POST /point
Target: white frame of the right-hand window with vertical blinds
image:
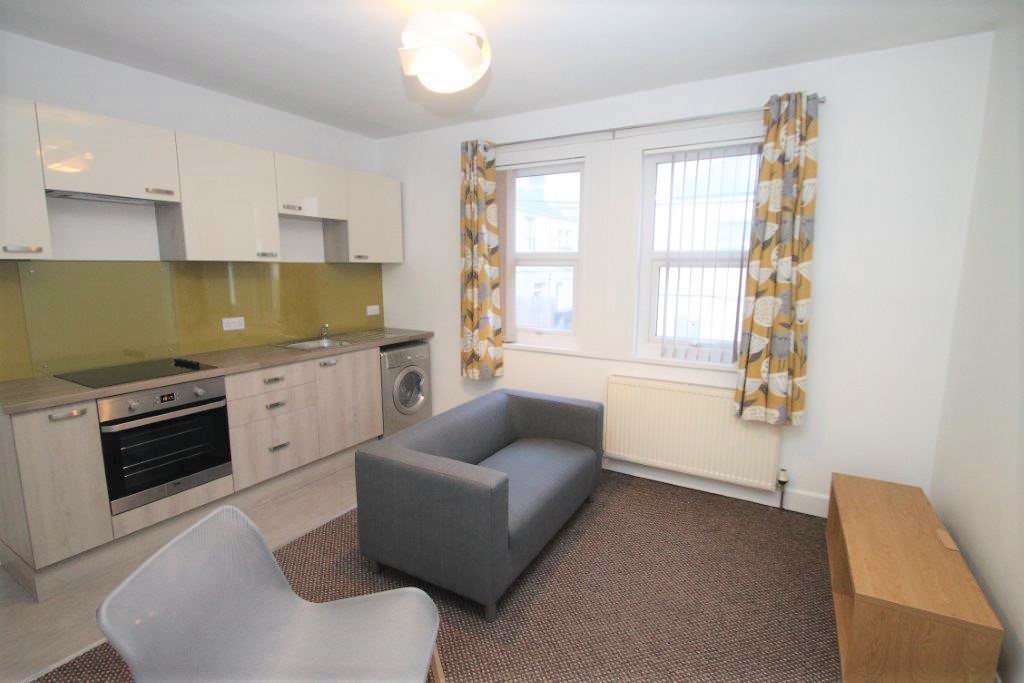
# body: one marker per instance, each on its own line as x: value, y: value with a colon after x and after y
x: 648, y: 344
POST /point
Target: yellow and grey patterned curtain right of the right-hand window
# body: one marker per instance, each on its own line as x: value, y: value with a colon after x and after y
x: 773, y: 382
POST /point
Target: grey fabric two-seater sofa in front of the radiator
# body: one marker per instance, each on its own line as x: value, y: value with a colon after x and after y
x: 467, y: 499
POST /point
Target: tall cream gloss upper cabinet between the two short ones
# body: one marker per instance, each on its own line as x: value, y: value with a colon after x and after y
x: 229, y: 204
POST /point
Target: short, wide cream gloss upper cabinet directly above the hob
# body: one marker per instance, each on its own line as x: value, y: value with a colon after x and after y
x: 97, y: 155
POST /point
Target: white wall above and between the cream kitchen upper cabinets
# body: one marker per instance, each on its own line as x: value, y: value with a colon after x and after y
x: 33, y: 70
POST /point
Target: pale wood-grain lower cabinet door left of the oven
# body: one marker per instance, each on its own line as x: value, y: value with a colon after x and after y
x: 62, y: 464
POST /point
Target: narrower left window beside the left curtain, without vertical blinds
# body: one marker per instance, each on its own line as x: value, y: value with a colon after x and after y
x: 543, y: 220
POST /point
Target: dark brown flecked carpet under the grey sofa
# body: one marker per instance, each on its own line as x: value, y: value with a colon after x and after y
x: 650, y: 582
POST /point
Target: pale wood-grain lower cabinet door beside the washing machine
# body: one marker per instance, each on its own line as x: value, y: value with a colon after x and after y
x: 349, y: 399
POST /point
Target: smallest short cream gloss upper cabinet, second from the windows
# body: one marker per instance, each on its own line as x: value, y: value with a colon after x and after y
x: 310, y: 189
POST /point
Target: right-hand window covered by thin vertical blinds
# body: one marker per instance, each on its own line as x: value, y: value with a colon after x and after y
x: 697, y: 215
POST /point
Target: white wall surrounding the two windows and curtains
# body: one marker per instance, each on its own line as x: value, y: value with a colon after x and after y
x: 893, y: 207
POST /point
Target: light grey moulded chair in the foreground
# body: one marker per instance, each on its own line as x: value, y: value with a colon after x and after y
x: 214, y: 605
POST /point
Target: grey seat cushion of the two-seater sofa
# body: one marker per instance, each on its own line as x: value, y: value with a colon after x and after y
x: 548, y: 480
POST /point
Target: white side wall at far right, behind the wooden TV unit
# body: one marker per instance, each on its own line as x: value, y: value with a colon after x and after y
x: 978, y: 484
